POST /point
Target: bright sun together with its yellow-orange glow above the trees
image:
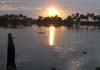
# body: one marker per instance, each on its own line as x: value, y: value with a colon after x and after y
x: 52, y: 11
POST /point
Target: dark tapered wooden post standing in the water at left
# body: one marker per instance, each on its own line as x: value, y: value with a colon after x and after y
x: 10, y: 54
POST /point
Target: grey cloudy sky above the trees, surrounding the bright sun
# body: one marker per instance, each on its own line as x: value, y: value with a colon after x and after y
x: 35, y: 8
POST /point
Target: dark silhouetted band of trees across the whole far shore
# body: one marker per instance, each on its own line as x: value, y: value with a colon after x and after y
x: 77, y: 19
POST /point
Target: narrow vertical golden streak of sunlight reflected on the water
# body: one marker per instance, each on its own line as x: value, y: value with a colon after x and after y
x: 51, y: 35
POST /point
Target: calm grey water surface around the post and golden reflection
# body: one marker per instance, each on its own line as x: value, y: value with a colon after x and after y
x: 34, y: 52
